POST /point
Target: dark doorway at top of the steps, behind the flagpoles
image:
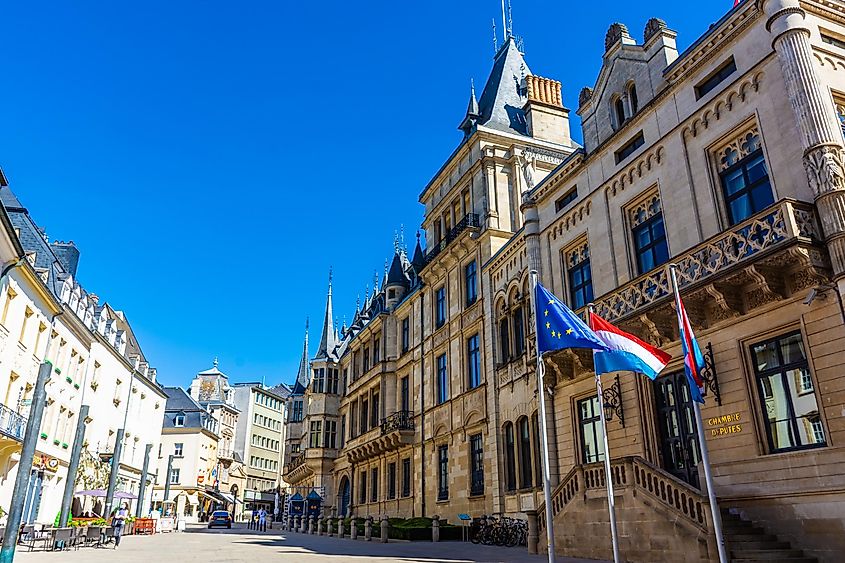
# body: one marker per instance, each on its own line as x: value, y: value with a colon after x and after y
x: 678, y: 430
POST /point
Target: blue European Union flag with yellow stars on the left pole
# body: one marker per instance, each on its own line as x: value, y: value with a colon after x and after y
x: 558, y: 327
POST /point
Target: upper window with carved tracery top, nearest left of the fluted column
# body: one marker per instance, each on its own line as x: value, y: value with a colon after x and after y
x: 745, y: 178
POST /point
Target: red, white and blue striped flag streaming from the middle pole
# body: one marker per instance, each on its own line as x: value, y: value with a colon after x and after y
x: 626, y: 351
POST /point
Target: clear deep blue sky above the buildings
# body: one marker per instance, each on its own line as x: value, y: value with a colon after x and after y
x: 213, y: 159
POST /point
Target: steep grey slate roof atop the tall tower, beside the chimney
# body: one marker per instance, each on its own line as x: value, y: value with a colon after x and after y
x: 503, y: 97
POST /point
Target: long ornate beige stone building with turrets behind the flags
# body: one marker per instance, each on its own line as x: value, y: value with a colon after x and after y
x: 725, y: 159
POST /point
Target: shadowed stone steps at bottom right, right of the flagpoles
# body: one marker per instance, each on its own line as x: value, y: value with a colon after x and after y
x: 748, y: 543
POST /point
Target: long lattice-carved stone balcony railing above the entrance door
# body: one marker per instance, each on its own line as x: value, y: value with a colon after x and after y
x: 776, y: 226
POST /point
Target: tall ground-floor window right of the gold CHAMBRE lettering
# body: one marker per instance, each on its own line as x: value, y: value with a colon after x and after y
x: 787, y: 394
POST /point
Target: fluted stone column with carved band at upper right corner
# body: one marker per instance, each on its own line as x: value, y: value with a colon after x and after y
x: 818, y: 125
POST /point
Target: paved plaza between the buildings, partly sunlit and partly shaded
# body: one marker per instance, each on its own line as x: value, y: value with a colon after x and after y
x: 239, y: 544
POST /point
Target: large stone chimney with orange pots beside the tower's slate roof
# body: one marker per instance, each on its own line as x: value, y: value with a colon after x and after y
x: 547, y: 119
